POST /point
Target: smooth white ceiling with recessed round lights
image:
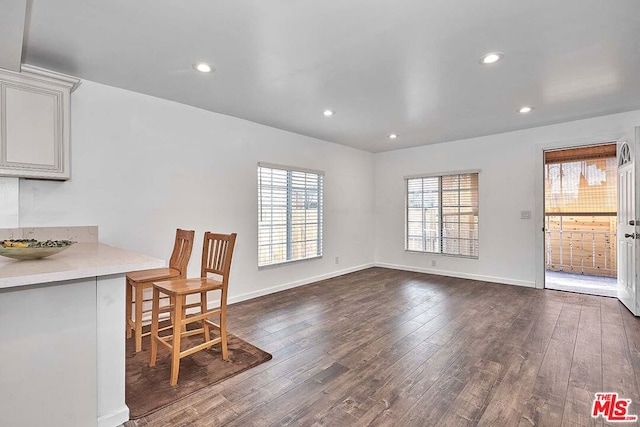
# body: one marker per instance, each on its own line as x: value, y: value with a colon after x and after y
x: 408, y: 67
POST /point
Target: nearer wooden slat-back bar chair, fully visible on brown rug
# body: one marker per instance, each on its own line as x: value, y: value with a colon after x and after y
x: 217, y: 252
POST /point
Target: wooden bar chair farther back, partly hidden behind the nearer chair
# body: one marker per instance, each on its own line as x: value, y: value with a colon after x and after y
x: 138, y: 281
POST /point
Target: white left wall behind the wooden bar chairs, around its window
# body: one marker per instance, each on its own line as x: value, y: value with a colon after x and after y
x: 143, y: 166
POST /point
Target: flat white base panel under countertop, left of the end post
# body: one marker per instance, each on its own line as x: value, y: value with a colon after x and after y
x: 48, y: 371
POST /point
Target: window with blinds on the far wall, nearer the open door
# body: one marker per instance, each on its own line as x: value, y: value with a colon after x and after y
x: 442, y: 214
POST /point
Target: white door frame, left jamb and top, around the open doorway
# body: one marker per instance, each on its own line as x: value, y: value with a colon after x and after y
x: 539, y: 190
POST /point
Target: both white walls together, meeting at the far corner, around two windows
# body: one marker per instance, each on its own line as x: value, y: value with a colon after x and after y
x: 142, y: 166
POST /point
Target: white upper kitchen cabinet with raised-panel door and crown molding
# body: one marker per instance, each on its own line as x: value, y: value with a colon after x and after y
x: 35, y: 125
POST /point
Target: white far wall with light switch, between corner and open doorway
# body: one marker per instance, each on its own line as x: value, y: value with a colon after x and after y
x: 510, y: 170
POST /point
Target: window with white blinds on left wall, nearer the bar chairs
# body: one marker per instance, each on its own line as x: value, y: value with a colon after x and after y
x: 289, y: 214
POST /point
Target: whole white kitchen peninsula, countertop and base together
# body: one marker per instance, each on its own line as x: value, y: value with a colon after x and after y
x: 62, y: 337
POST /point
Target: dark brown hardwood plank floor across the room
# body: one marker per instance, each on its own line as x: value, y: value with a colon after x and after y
x: 390, y: 348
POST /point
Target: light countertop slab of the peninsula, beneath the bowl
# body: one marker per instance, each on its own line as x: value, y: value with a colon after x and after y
x: 79, y: 261
